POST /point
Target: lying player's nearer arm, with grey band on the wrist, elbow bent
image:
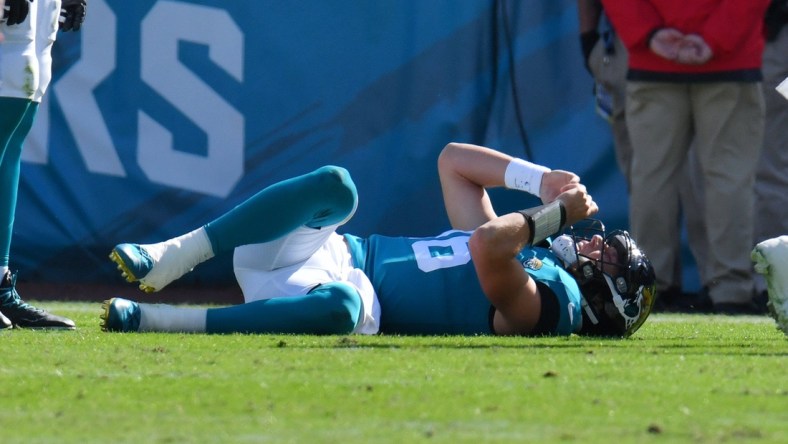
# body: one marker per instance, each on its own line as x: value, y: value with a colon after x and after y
x: 496, y: 244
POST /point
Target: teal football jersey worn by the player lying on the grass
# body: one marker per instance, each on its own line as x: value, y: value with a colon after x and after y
x: 428, y: 285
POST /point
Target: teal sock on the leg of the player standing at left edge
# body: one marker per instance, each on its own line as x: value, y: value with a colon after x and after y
x: 16, y: 119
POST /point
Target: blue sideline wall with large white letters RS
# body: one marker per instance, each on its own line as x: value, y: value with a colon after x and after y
x: 164, y: 114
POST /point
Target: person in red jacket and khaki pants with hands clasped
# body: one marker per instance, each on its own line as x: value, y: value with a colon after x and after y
x: 694, y: 78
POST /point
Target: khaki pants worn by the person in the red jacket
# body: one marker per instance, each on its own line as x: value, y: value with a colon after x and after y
x: 724, y: 124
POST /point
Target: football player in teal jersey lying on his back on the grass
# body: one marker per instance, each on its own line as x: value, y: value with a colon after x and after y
x: 489, y: 274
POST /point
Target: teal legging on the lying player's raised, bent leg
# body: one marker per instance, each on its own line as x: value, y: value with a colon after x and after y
x: 326, y: 196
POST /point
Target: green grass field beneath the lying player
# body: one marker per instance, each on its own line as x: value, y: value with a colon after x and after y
x: 681, y: 378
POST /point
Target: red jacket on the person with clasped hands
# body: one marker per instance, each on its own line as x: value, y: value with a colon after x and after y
x: 732, y: 28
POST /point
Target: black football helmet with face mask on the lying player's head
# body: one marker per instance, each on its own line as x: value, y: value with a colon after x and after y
x: 617, y: 281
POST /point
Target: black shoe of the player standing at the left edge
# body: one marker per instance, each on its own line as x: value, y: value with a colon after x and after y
x: 24, y: 315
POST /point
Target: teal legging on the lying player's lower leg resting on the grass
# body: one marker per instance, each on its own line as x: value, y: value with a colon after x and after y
x: 333, y: 308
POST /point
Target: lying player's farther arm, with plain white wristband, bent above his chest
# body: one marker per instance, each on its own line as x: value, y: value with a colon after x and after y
x: 466, y: 171
